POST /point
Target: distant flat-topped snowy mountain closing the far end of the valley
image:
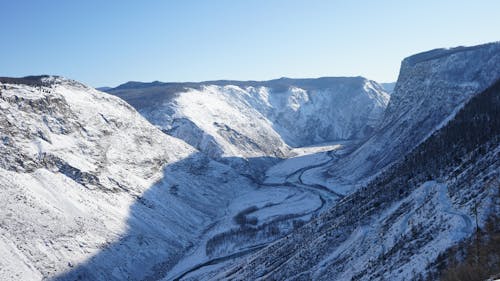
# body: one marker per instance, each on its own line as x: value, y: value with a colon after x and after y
x: 255, y: 119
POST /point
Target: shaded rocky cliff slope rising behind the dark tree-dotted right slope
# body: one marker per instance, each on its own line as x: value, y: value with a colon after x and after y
x: 431, y: 87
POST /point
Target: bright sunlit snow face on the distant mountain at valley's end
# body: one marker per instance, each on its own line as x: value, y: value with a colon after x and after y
x: 212, y: 108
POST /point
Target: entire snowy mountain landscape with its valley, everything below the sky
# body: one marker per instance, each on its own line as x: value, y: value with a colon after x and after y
x: 334, y: 178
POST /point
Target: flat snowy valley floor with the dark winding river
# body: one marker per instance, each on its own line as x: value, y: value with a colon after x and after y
x: 292, y: 193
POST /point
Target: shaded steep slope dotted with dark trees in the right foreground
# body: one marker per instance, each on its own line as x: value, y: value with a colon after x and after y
x: 397, y: 225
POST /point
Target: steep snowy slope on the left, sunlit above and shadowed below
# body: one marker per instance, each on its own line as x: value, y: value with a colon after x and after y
x: 90, y: 189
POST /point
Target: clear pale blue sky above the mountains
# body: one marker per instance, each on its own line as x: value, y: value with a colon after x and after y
x: 106, y: 43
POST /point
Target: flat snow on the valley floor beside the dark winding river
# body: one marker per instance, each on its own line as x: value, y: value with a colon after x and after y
x: 270, y: 202
